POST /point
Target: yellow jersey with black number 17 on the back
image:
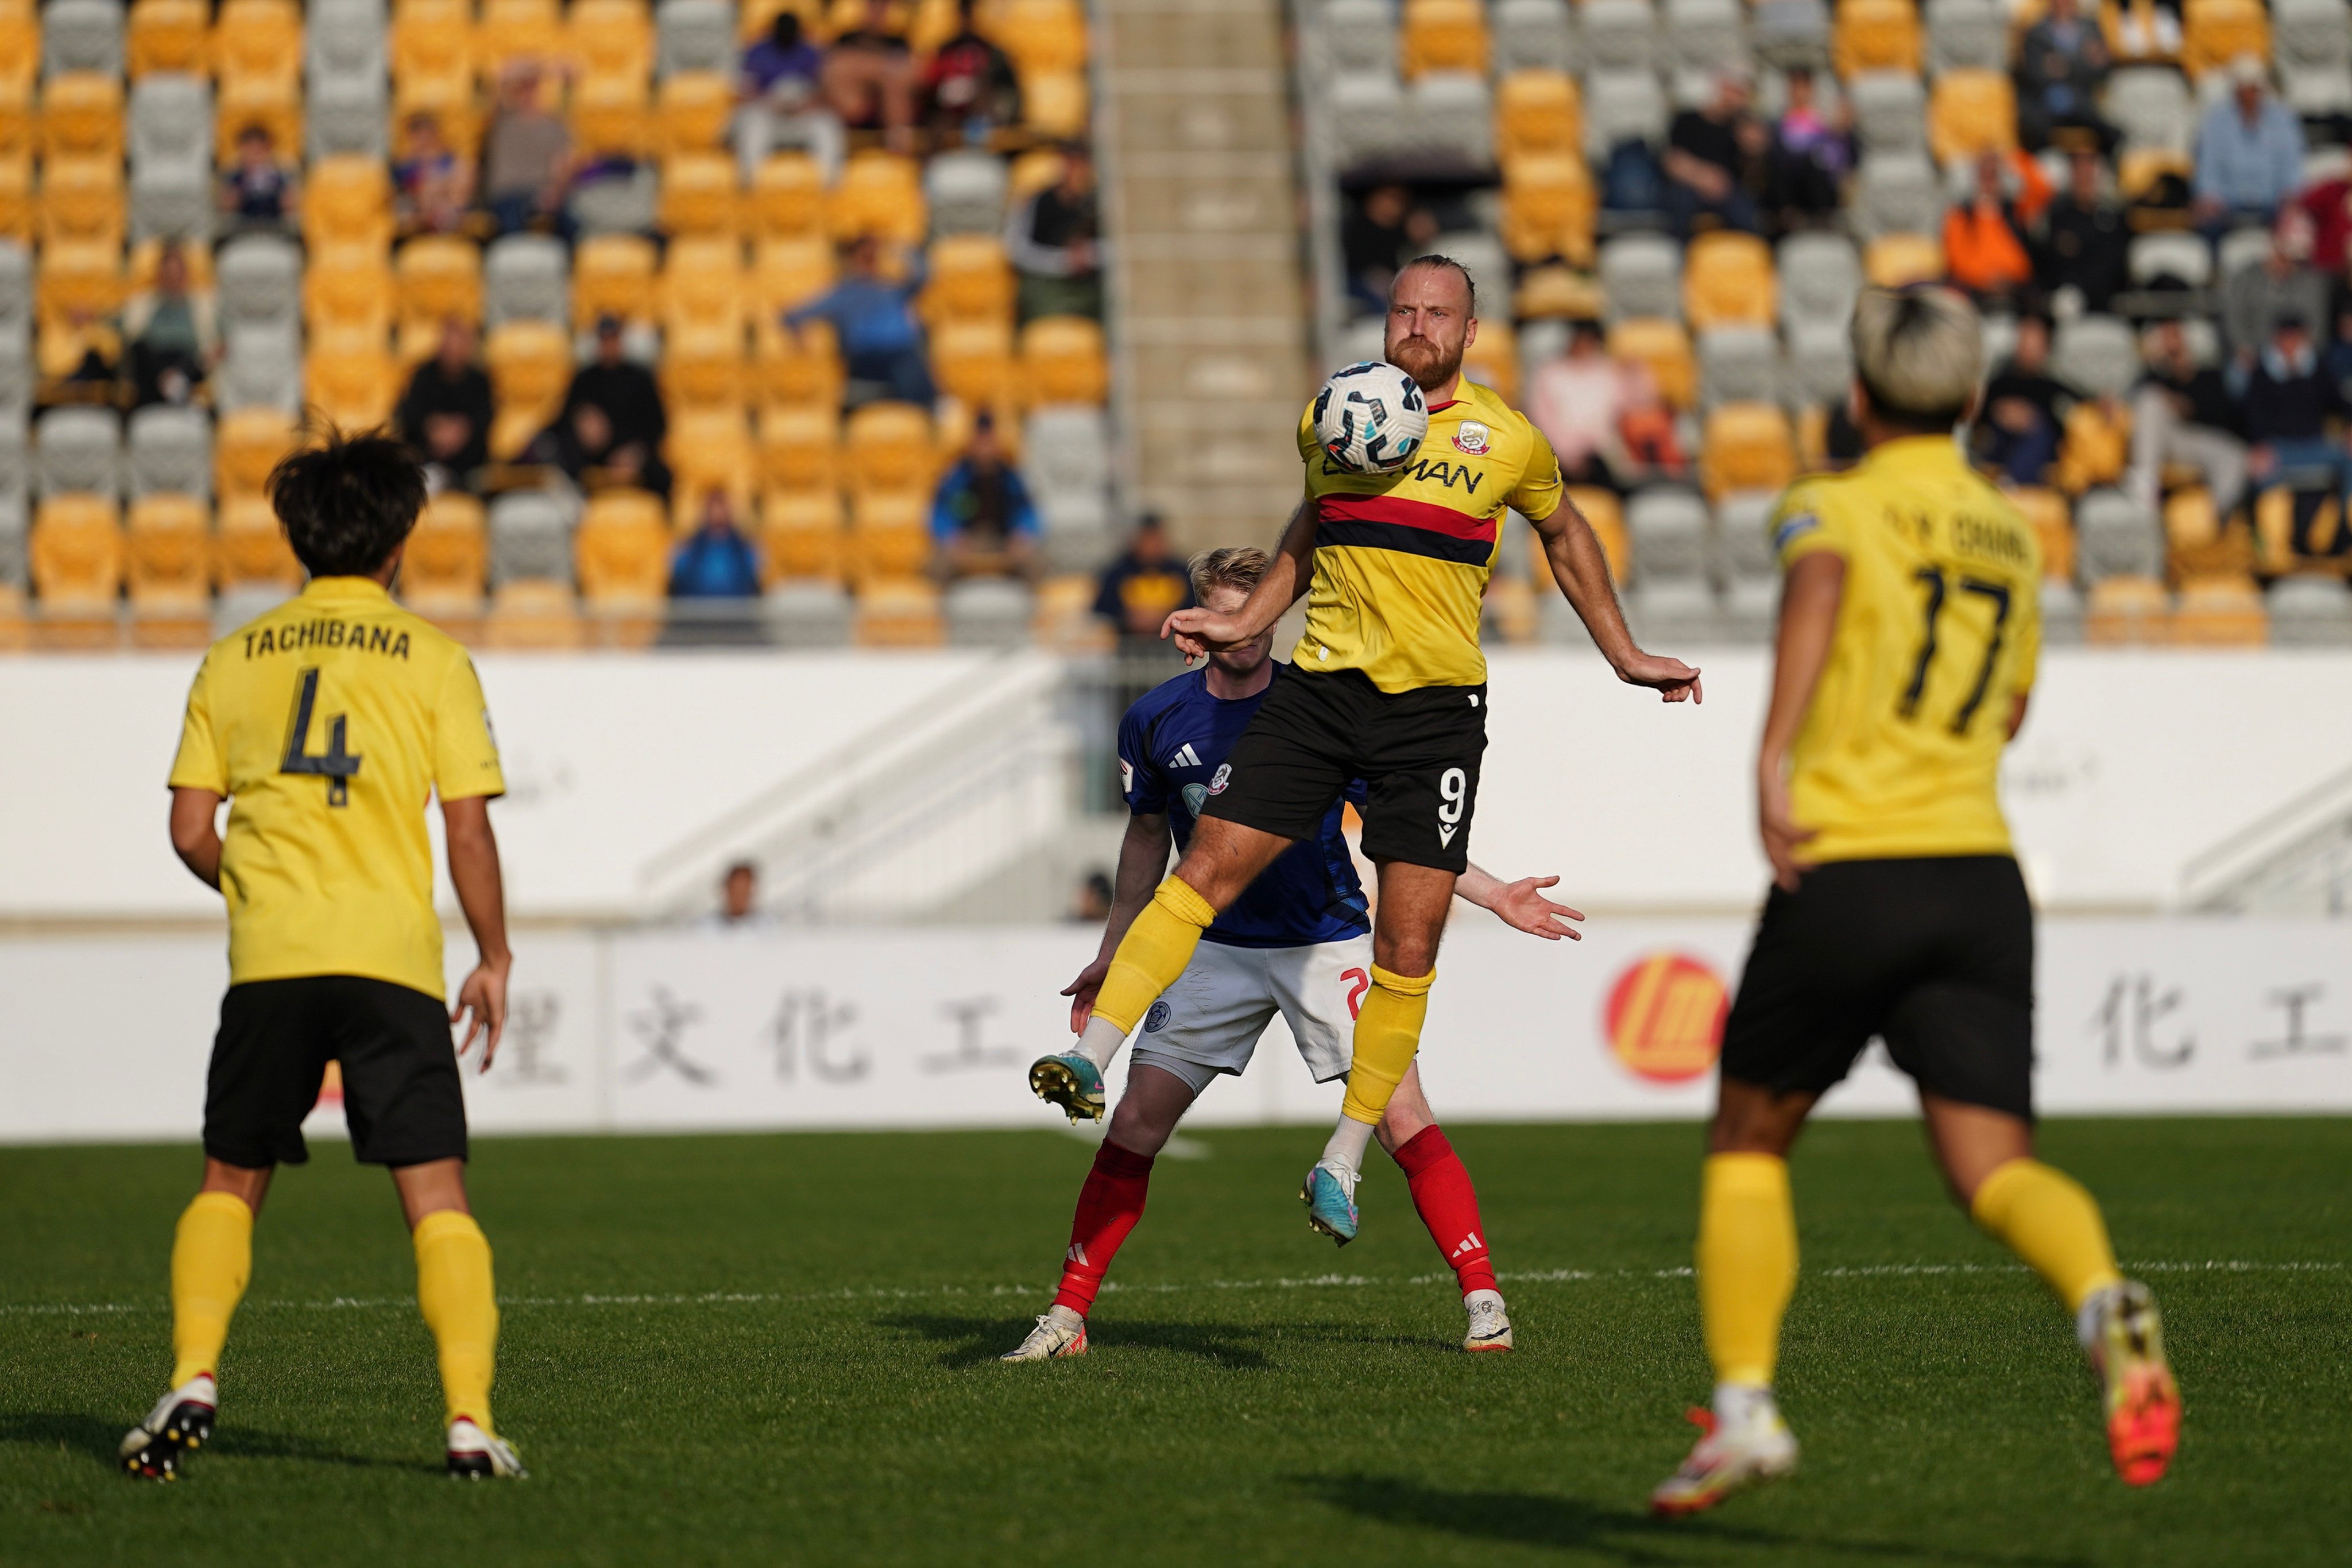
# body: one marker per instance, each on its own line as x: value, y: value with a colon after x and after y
x: 1937, y: 636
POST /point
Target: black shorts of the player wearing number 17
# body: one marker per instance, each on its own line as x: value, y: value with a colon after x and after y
x: 1935, y: 956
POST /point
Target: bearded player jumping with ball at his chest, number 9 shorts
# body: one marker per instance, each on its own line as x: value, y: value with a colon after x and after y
x: 1391, y: 688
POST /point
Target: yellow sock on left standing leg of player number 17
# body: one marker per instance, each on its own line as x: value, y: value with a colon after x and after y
x: 1746, y: 1264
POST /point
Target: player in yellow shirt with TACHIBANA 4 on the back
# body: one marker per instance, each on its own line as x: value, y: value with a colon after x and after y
x: 328, y: 725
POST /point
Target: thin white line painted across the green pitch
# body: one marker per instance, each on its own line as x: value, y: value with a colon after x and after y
x: 1309, y: 1282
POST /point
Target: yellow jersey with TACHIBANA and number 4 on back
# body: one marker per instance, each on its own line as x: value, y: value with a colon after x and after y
x: 328, y: 725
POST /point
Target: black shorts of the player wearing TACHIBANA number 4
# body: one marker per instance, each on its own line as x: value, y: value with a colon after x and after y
x: 401, y: 1087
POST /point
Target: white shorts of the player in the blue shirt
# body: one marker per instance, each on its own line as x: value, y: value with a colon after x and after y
x: 1210, y: 1021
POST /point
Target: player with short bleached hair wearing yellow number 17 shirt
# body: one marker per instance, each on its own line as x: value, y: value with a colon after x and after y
x: 1906, y: 652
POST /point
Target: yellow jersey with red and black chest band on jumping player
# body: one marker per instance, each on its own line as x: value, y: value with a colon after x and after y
x: 1403, y: 558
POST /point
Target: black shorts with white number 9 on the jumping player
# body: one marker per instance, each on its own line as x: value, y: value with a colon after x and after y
x: 1316, y: 735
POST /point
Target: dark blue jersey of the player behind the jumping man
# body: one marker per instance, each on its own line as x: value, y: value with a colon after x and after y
x: 1172, y: 744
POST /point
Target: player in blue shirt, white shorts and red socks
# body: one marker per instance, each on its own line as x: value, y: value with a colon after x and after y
x: 1297, y: 944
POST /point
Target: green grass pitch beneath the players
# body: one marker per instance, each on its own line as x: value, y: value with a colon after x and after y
x: 782, y: 1351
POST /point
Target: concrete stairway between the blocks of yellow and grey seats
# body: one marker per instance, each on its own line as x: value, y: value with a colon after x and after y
x: 1203, y: 215
